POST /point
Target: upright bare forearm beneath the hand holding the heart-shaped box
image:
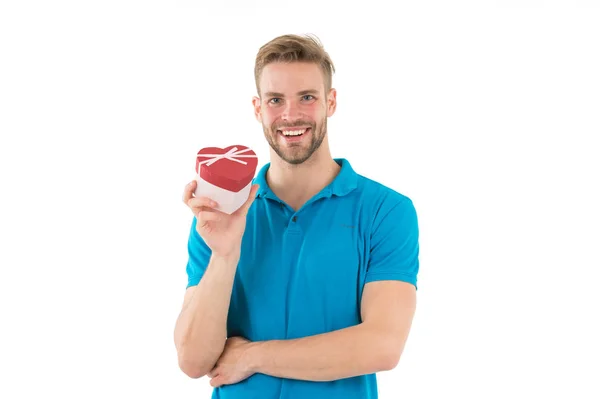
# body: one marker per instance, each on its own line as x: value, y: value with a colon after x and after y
x: 201, y: 328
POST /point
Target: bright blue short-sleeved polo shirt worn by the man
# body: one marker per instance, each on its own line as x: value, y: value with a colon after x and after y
x: 303, y: 272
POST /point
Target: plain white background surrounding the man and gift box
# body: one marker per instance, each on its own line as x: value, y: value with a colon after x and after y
x: 494, y: 112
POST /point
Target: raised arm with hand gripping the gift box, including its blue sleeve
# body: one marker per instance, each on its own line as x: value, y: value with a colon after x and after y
x: 214, y: 248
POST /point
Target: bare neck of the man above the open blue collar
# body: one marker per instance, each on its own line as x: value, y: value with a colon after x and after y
x: 296, y: 184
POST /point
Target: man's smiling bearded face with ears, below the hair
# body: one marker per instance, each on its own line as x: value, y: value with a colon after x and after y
x: 293, y: 109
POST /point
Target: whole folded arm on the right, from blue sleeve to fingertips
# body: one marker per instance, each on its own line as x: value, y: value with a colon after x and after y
x: 387, y: 308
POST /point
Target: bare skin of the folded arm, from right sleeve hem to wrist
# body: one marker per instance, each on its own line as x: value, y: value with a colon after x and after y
x: 387, y: 310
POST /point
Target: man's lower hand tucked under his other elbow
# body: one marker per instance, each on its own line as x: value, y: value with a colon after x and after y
x: 234, y: 365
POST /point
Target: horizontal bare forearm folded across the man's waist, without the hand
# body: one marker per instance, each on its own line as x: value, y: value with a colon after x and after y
x: 349, y: 352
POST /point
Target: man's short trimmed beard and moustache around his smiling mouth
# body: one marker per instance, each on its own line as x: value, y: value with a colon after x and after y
x: 292, y: 153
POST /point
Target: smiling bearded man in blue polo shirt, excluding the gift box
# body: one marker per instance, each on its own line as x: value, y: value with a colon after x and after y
x: 309, y: 289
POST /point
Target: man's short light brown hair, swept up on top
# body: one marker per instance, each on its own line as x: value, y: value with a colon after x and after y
x: 294, y: 48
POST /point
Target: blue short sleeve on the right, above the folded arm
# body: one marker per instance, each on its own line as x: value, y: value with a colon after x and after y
x: 394, y: 243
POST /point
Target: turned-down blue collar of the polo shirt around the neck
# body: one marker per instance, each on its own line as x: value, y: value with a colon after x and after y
x: 343, y: 184
